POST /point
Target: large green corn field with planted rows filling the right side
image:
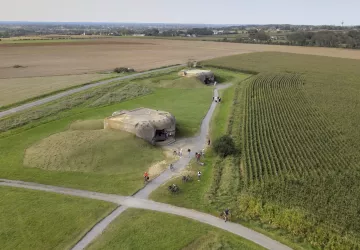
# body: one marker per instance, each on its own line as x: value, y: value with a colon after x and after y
x: 297, y: 123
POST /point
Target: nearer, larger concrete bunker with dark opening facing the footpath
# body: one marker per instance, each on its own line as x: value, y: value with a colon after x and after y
x: 154, y: 126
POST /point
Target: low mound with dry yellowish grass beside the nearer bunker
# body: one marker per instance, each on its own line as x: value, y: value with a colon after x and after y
x: 106, y: 151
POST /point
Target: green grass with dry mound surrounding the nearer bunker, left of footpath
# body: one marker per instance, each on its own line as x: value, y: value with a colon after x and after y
x: 41, y: 148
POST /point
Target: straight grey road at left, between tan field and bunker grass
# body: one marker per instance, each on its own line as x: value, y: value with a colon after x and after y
x: 76, y: 90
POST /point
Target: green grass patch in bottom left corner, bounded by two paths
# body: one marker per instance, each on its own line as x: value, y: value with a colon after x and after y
x: 39, y: 220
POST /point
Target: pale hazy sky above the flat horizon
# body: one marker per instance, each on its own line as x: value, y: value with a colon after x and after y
x: 314, y: 12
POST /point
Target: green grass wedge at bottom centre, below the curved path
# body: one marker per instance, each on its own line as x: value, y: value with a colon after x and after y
x: 140, y: 229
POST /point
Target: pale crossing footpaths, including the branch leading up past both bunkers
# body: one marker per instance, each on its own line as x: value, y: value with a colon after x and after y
x: 140, y: 199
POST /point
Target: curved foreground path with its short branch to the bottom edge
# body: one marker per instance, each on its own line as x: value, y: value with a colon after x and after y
x: 133, y: 202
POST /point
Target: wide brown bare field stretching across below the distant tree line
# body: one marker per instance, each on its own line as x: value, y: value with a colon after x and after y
x: 142, y: 54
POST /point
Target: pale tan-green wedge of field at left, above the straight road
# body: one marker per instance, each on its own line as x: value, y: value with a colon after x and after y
x: 18, y: 89
